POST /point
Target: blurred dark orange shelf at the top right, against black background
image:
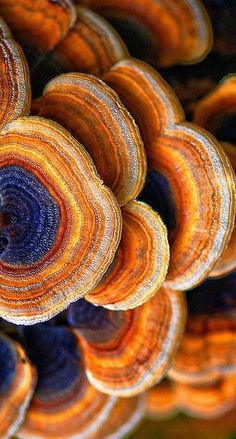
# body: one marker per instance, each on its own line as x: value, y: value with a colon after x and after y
x: 169, y: 32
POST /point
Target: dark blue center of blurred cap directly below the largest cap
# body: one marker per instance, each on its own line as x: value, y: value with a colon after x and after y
x: 54, y: 352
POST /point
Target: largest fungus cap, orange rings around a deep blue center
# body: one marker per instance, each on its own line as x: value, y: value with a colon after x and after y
x: 60, y: 226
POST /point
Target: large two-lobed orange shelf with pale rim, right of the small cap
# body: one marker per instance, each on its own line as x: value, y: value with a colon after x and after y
x: 182, y: 161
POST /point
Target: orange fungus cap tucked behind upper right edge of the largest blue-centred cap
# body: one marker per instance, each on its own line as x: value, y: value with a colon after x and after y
x: 95, y: 116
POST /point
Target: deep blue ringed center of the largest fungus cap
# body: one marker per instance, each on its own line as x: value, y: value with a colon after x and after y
x: 29, y: 217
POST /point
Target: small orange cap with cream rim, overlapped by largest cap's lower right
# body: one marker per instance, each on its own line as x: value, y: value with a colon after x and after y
x: 141, y: 262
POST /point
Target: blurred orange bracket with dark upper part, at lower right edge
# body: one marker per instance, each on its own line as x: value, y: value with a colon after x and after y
x: 207, y: 349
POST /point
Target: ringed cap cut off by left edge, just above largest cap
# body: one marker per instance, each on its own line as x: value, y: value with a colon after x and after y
x: 14, y: 79
